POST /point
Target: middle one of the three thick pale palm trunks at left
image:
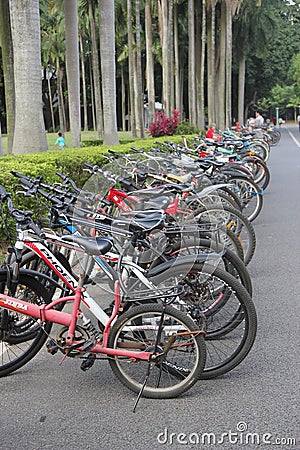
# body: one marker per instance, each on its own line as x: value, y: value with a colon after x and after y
x: 72, y: 67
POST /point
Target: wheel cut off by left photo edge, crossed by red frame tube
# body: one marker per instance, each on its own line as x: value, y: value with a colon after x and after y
x: 21, y: 337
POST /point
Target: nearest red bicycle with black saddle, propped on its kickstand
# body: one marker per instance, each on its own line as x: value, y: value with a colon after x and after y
x: 168, y: 342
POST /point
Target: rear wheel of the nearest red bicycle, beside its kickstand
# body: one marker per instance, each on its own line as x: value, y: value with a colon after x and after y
x: 180, y: 346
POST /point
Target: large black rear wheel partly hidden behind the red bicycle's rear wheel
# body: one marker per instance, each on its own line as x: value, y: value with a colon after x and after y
x: 229, y: 311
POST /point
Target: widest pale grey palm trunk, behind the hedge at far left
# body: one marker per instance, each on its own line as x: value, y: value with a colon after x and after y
x: 29, y: 135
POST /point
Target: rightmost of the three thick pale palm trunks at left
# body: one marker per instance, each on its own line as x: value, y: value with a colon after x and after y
x: 108, y: 71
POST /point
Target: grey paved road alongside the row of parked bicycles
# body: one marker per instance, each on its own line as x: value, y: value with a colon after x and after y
x: 47, y: 406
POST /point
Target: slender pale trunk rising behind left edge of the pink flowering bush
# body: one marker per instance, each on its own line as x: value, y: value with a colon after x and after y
x: 149, y: 64
